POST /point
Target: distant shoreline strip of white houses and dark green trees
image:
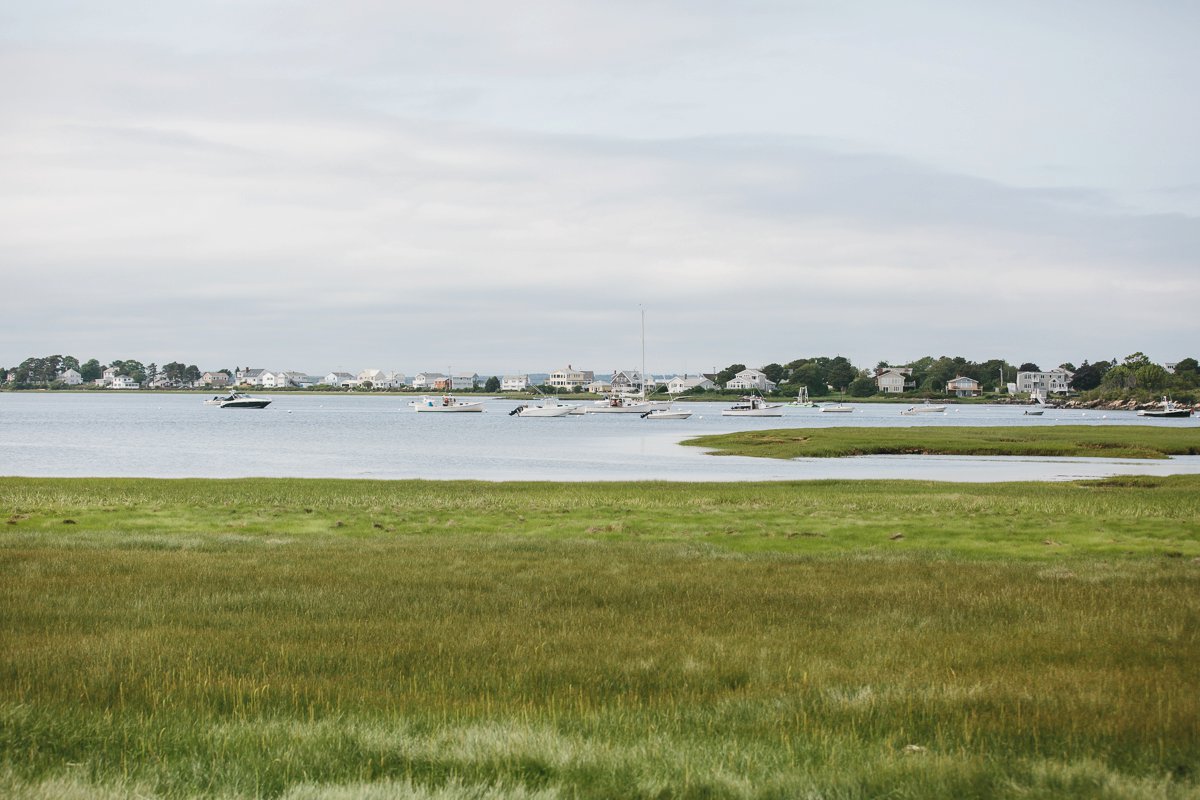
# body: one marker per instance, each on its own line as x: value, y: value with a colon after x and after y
x: 950, y: 377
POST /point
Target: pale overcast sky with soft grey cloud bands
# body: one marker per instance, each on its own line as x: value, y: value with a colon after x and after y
x: 503, y: 187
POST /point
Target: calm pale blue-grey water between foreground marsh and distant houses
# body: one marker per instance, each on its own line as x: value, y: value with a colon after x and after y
x: 177, y: 436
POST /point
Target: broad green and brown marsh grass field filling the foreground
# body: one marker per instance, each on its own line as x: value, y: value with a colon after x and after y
x: 424, y: 640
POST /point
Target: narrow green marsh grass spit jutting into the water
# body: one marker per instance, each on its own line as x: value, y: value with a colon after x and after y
x: 1103, y: 442
